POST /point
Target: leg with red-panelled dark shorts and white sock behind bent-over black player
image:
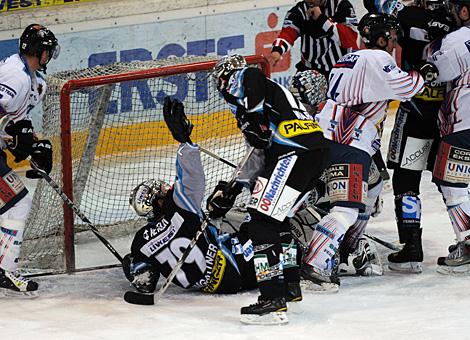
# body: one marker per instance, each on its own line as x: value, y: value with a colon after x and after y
x: 347, y: 191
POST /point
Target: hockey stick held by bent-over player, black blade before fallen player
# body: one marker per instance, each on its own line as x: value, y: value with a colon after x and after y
x: 151, y: 299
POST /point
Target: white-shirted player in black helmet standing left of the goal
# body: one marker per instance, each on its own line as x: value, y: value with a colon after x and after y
x: 21, y: 88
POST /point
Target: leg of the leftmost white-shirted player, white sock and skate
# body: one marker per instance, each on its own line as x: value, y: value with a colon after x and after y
x: 15, y: 206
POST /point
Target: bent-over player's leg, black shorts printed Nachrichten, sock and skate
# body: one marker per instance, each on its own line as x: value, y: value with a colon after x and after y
x: 278, y: 192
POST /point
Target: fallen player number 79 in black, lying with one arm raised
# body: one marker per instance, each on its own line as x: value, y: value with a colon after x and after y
x: 220, y: 262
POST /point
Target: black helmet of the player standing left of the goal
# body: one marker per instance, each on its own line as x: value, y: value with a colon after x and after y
x: 37, y: 39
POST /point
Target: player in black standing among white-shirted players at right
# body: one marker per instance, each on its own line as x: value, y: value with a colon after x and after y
x: 415, y: 135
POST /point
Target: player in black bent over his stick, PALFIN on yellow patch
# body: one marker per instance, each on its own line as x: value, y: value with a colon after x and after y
x: 272, y: 120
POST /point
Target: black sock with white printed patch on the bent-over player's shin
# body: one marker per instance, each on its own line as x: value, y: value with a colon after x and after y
x: 269, y: 270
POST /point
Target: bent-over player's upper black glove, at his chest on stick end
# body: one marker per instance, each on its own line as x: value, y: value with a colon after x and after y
x: 257, y: 134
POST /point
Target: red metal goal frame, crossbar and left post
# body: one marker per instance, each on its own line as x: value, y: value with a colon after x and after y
x: 66, y: 131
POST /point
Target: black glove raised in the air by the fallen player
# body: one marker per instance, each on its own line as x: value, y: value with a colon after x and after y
x: 175, y: 119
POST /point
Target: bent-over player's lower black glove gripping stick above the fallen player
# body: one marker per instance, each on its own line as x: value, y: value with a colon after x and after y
x: 222, y: 198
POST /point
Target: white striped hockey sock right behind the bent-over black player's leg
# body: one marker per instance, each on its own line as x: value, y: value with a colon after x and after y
x: 327, y: 236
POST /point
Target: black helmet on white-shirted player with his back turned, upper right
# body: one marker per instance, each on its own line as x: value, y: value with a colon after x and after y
x: 375, y: 25
